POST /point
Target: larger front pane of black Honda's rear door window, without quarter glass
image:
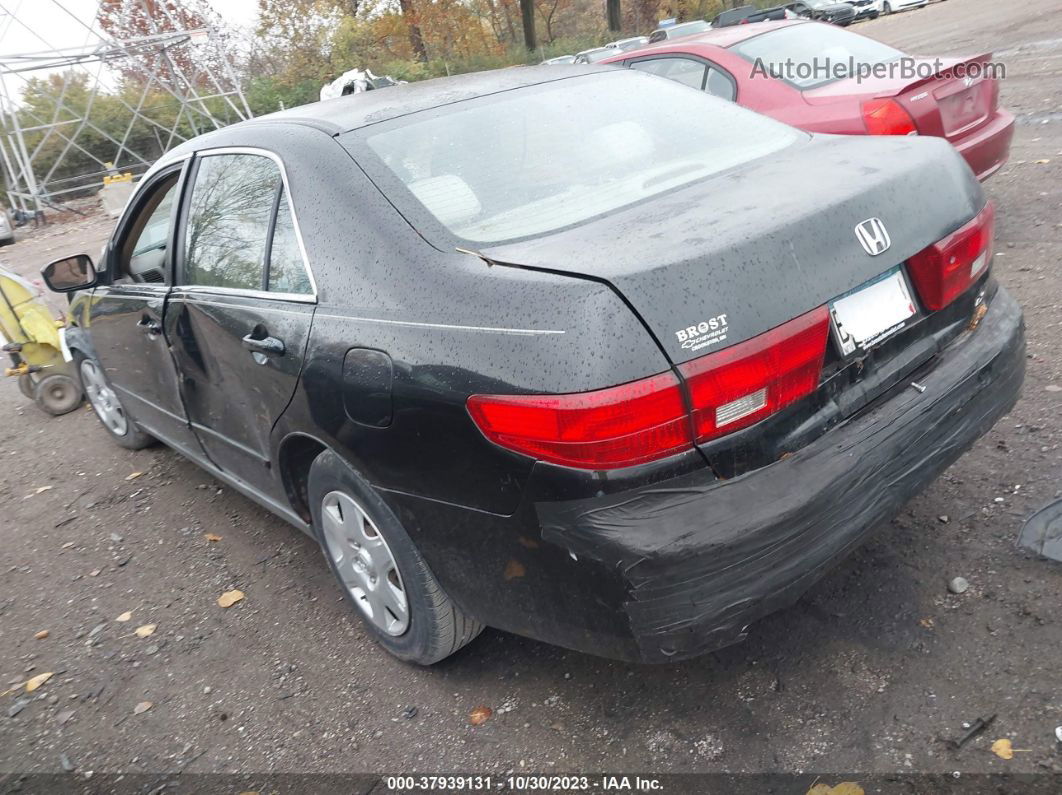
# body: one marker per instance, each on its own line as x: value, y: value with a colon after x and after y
x: 229, y: 221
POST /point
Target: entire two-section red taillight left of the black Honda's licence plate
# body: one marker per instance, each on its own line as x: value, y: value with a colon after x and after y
x: 647, y: 420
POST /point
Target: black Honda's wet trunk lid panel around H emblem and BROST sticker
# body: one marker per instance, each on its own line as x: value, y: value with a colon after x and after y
x: 751, y: 249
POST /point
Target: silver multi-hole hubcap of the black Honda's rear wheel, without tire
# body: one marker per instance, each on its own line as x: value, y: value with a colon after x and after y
x: 365, y: 563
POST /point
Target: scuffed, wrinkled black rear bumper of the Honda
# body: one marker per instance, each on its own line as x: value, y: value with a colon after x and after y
x: 703, y: 559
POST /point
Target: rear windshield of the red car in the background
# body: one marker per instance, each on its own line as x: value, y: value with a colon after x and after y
x: 812, y: 56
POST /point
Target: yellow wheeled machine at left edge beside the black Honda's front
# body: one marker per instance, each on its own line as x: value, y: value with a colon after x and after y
x: 31, y: 337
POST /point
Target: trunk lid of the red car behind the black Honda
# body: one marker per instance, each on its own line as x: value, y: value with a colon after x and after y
x: 945, y: 103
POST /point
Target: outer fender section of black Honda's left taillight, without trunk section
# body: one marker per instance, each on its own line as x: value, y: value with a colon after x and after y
x: 606, y: 429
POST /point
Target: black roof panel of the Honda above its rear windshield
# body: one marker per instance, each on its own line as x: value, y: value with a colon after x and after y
x: 361, y: 110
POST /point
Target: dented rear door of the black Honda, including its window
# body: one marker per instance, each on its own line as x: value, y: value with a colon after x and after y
x: 239, y: 316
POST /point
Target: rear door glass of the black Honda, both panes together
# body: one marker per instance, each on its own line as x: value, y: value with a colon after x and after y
x: 241, y: 234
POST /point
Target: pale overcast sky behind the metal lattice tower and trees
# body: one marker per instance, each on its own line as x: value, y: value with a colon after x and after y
x: 37, y: 26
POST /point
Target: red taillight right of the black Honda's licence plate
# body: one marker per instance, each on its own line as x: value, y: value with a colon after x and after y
x: 946, y: 270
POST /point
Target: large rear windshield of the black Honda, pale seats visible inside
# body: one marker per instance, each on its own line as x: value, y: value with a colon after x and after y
x: 535, y: 161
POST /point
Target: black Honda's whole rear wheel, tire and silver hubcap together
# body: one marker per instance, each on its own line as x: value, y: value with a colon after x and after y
x: 381, y: 571
